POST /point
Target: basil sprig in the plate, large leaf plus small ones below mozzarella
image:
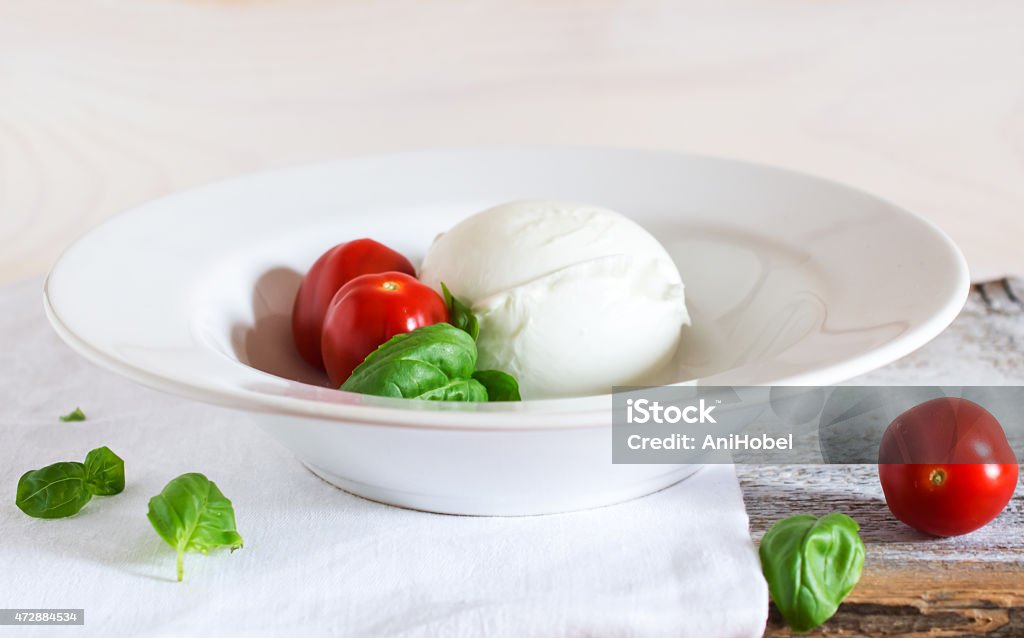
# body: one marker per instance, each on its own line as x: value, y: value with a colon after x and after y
x: 433, y: 363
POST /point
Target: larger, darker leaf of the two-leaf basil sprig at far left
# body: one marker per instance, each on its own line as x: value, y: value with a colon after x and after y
x: 54, y: 492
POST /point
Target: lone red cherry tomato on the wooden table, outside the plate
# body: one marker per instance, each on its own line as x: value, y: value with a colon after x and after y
x: 947, y: 467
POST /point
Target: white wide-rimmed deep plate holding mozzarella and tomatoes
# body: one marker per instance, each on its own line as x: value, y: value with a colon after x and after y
x: 791, y: 280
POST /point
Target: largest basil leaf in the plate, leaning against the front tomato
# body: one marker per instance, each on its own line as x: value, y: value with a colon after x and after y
x: 414, y: 364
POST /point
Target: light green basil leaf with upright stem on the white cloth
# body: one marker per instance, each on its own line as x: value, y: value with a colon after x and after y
x: 193, y: 516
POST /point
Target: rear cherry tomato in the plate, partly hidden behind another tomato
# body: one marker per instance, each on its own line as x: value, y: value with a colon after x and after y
x: 335, y: 269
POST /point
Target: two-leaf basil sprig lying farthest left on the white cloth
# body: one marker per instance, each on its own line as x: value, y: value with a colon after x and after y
x: 63, y: 489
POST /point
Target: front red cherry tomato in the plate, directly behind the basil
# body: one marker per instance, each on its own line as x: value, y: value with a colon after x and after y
x: 368, y: 312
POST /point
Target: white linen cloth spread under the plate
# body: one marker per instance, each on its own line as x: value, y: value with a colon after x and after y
x: 320, y: 562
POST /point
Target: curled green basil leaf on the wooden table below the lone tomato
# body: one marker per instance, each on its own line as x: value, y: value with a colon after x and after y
x: 812, y: 565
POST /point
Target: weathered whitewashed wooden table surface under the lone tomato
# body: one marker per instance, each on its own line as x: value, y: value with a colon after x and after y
x: 915, y: 586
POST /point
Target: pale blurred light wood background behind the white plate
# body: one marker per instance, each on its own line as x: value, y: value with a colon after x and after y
x: 107, y: 104
